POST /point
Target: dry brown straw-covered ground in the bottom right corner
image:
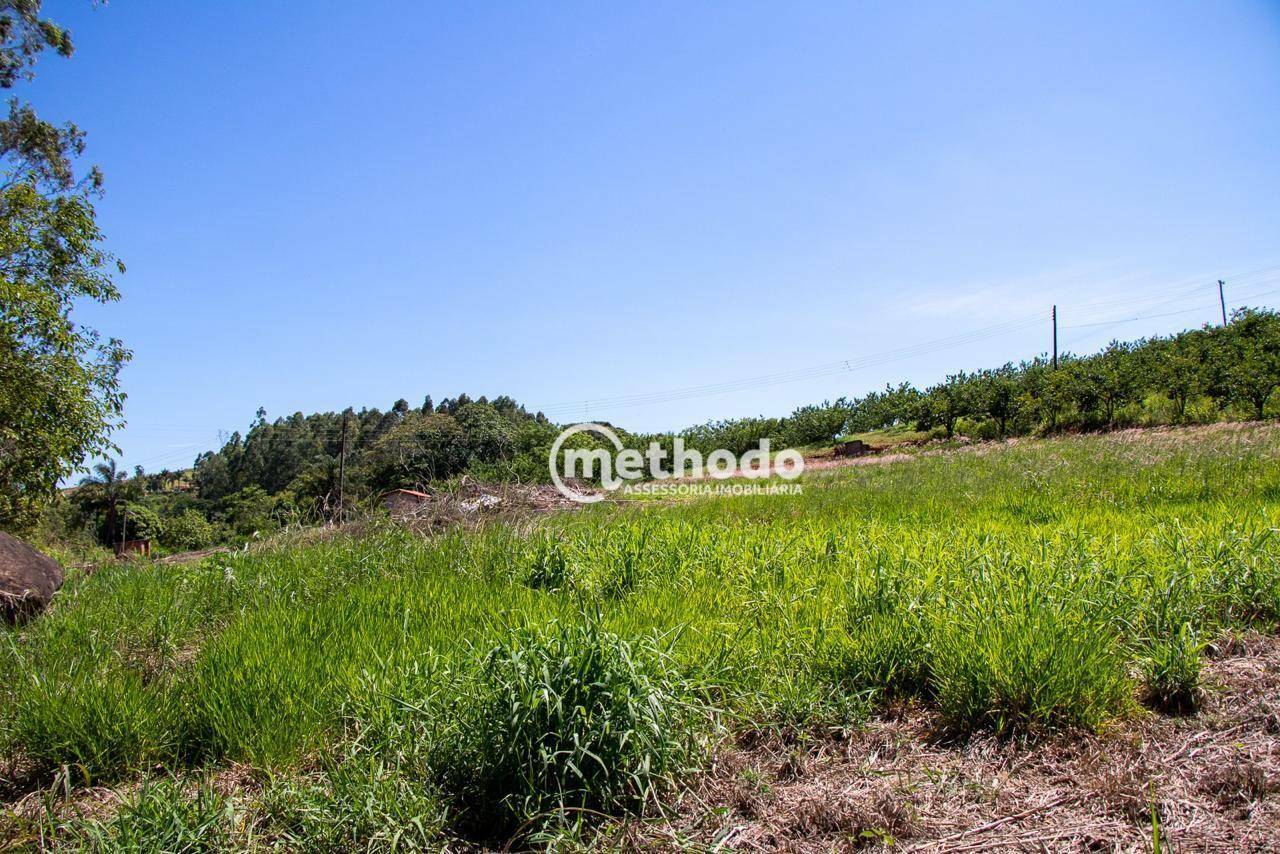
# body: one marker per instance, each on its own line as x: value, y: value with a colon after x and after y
x: 1208, y: 783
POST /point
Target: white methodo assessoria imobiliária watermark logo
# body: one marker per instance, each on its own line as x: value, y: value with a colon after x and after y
x: 620, y: 468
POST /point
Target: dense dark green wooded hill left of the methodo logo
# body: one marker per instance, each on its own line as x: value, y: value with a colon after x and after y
x: 287, y: 471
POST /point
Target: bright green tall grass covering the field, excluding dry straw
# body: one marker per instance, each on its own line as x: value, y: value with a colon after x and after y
x: 1018, y: 590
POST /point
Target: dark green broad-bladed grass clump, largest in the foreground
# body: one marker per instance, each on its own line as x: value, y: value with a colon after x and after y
x: 568, y: 723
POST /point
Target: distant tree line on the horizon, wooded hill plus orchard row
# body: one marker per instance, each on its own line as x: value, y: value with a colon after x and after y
x: 286, y: 471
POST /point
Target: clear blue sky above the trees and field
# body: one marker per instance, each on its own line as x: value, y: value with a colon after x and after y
x: 332, y: 203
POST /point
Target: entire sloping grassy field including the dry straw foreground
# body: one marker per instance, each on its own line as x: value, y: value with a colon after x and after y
x: 989, y: 618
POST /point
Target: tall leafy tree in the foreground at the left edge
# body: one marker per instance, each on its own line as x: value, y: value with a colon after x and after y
x: 60, y: 381
